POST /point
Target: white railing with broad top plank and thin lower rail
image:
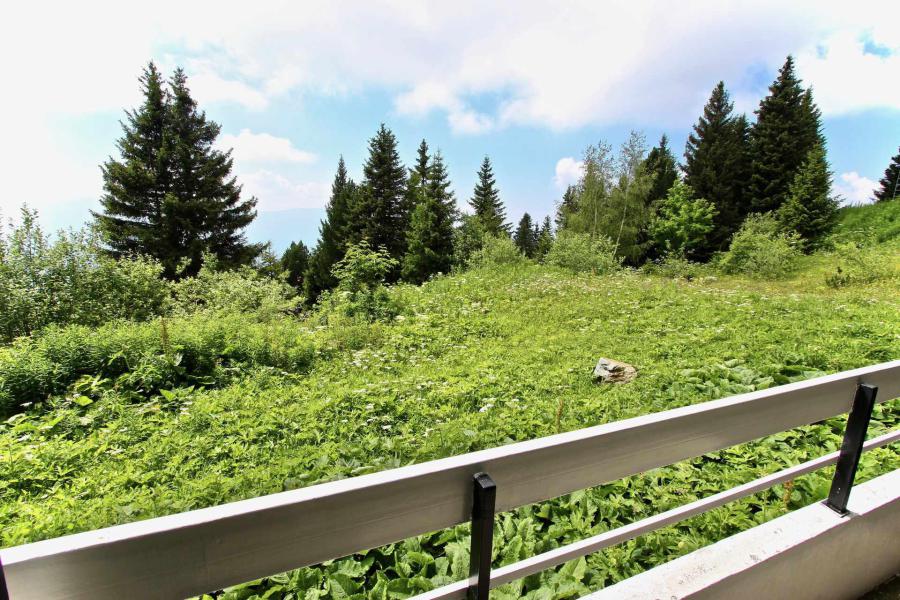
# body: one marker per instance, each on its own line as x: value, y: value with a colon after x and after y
x: 187, y: 554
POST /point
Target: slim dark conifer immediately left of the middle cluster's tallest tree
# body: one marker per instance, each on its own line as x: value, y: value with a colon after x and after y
x: 333, y: 235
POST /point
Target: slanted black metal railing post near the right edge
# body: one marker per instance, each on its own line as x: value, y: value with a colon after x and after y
x: 851, y: 448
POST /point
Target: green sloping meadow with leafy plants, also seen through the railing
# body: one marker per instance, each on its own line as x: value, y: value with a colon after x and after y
x: 132, y: 421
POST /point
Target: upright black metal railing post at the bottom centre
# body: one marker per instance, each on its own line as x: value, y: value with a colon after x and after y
x: 484, y: 500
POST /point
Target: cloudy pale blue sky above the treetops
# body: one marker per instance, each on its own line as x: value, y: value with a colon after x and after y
x: 294, y: 85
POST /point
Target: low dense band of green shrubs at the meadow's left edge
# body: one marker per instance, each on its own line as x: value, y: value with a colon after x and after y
x: 143, y: 358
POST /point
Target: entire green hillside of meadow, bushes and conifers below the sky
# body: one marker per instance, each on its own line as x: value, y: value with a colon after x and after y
x: 156, y: 361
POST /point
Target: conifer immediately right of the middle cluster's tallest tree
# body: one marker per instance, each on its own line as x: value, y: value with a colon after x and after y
x: 430, y: 236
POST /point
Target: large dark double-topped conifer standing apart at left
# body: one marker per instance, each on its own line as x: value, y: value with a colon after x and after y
x: 173, y: 196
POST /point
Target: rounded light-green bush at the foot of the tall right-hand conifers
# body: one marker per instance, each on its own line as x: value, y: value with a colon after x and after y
x: 761, y: 249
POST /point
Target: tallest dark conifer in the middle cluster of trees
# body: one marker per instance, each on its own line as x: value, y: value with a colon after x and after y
x: 381, y: 213
